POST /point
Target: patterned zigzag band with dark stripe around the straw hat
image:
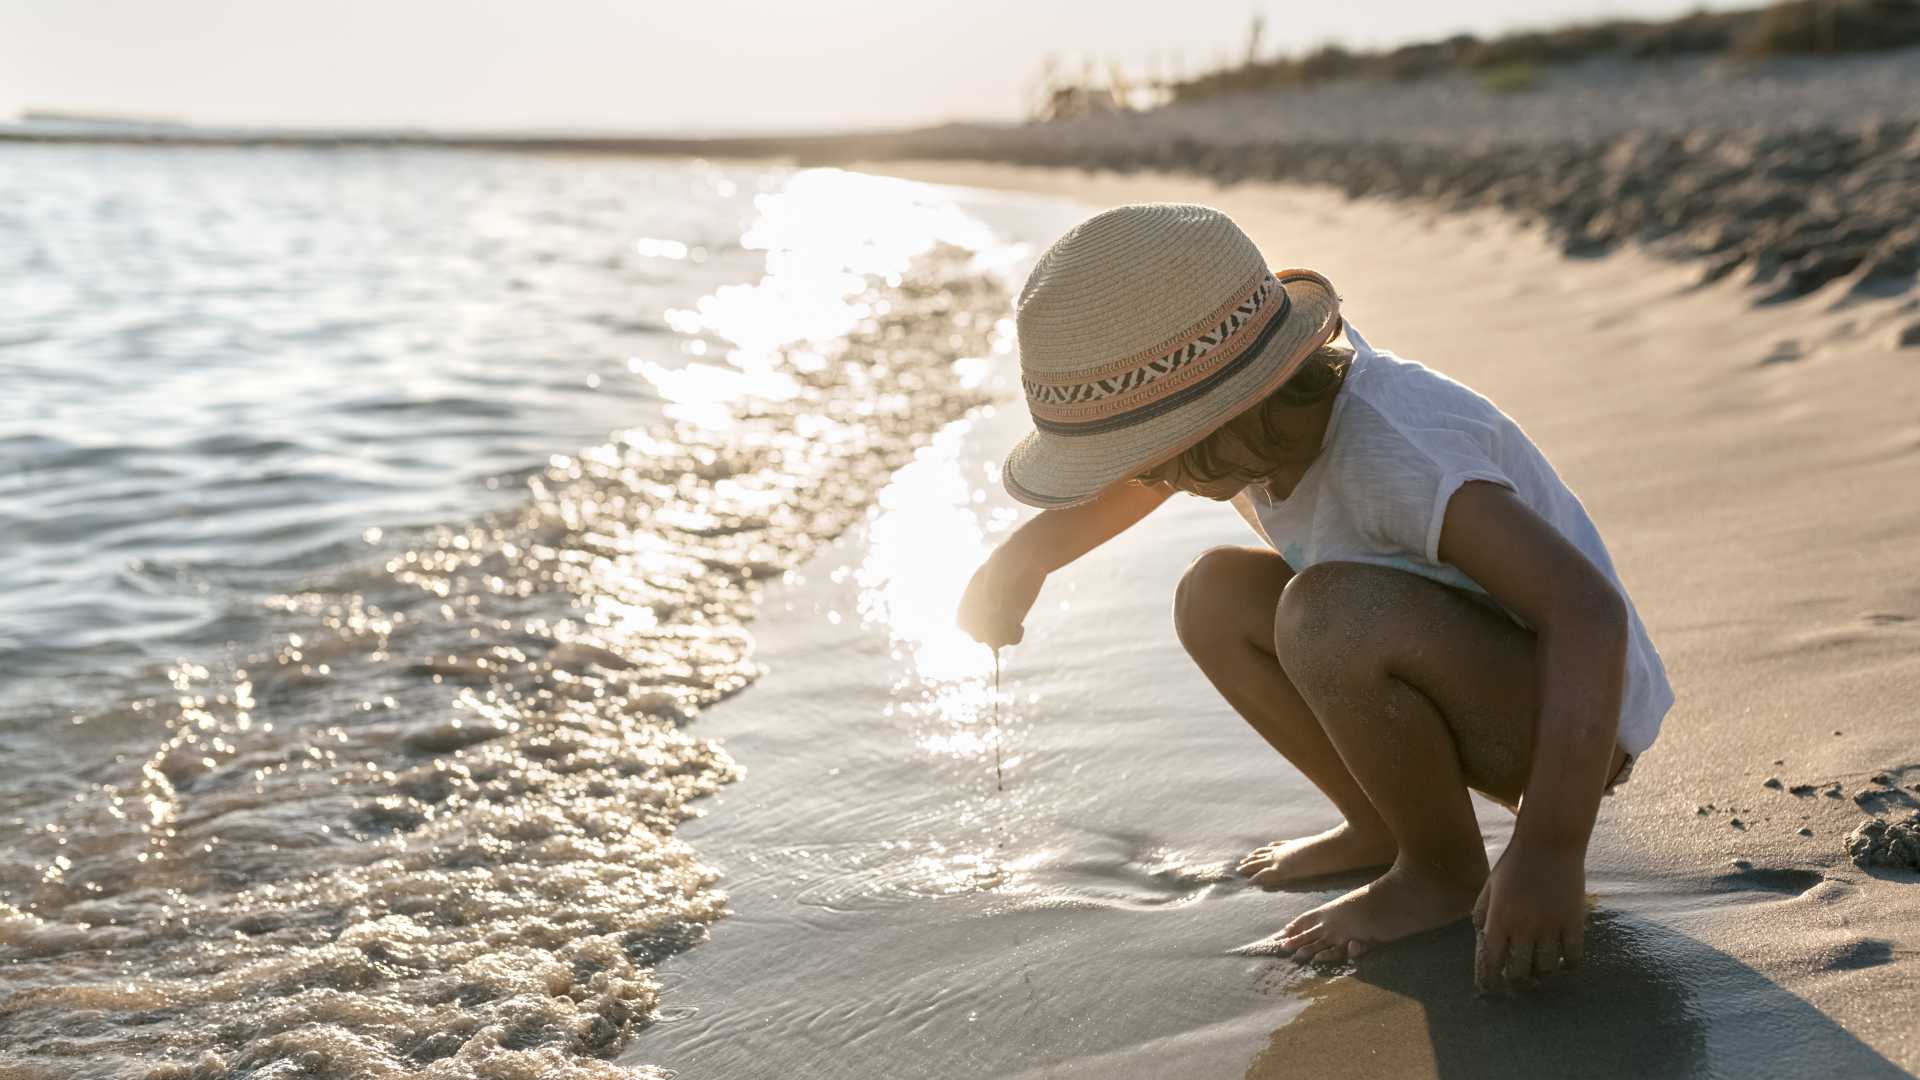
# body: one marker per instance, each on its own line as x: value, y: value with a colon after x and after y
x: 1163, y: 380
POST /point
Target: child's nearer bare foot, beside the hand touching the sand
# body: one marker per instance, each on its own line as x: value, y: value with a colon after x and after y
x: 1393, y: 906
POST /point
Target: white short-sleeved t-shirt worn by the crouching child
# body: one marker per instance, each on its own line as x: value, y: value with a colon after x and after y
x: 1401, y: 441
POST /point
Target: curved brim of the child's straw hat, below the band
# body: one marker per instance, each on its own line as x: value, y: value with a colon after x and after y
x: 1057, y: 472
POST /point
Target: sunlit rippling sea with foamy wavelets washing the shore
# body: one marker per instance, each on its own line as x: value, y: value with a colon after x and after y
x: 348, y: 662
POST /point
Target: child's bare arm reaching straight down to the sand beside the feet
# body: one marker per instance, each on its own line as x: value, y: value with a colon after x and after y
x: 1533, y: 908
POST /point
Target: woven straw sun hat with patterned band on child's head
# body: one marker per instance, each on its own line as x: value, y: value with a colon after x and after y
x: 1141, y: 331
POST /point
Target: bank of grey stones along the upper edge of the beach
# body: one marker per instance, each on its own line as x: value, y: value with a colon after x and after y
x: 1792, y: 174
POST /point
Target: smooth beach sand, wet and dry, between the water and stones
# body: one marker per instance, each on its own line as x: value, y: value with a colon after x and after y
x: 1754, y: 474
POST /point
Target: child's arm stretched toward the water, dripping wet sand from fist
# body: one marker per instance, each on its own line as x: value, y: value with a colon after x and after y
x: 1005, y: 587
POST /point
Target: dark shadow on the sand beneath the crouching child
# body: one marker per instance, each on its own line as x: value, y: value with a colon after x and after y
x: 1648, y: 1004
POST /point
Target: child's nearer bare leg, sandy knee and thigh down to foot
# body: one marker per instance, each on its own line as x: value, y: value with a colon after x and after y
x: 1424, y: 693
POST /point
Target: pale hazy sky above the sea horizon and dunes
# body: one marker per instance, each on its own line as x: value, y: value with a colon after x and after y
x: 652, y: 66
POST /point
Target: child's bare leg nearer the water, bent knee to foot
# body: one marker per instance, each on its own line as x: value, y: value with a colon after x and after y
x: 1224, y: 612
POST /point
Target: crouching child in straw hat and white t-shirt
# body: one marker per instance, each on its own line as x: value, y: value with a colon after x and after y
x: 1433, y: 612
